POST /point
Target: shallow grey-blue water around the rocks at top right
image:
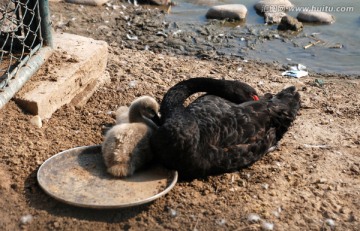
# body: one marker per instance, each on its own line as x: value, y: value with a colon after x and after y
x: 323, y: 59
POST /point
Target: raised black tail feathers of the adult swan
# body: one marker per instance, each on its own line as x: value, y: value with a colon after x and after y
x: 283, y: 109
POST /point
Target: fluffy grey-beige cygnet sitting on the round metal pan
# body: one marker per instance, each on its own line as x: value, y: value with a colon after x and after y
x: 126, y: 146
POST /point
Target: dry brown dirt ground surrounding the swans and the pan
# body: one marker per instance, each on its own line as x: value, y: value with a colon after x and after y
x: 312, y: 182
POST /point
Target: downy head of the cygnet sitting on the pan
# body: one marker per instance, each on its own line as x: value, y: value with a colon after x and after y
x: 146, y: 106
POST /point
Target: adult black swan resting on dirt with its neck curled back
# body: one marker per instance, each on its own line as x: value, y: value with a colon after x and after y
x: 218, y: 132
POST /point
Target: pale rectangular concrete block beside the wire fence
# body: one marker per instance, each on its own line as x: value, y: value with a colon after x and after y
x: 72, y: 76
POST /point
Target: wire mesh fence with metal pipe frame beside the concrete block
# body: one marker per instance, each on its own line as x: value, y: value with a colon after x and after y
x: 24, y: 30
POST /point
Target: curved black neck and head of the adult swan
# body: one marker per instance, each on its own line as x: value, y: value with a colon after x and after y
x: 174, y: 99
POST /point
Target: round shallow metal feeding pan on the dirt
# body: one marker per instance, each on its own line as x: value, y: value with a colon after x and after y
x: 78, y: 177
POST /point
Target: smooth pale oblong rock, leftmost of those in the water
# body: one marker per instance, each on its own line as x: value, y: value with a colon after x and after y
x: 230, y: 11
